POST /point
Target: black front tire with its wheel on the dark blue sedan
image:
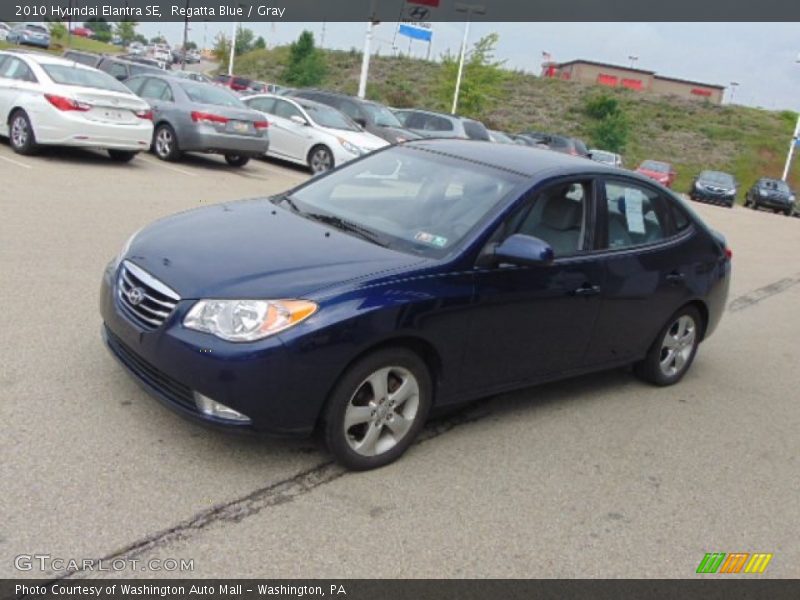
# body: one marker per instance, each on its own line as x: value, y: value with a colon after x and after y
x: 355, y: 392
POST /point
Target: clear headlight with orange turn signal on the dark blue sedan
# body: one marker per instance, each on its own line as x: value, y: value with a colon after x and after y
x: 247, y: 320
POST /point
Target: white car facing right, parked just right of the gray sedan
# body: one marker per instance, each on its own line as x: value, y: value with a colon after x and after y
x: 312, y: 134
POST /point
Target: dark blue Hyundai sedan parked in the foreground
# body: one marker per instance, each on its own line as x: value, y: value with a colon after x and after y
x: 420, y: 276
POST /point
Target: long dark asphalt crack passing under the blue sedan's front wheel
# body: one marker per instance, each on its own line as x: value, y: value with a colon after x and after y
x: 275, y: 494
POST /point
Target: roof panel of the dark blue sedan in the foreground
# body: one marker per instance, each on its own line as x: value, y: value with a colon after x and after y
x: 522, y: 160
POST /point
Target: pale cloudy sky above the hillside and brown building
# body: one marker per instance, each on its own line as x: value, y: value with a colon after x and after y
x: 761, y: 57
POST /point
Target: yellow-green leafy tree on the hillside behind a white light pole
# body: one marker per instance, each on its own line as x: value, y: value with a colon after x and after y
x: 481, y: 80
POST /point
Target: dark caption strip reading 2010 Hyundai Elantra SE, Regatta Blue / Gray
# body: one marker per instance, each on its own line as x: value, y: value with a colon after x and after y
x: 394, y: 10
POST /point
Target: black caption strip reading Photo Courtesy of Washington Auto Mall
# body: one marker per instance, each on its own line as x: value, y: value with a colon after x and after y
x: 713, y: 588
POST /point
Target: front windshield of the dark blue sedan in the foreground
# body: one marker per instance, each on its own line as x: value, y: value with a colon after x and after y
x: 409, y: 199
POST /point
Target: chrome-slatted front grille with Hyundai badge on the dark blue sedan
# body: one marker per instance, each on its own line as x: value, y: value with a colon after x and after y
x: 146, y: 300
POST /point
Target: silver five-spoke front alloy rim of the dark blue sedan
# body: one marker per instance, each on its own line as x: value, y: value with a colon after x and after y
x: 381, y: 411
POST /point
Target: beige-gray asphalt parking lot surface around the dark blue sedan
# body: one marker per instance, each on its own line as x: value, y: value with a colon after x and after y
x: 601, y: 476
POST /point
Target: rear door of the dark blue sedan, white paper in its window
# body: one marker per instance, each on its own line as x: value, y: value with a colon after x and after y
x: 651, y: 262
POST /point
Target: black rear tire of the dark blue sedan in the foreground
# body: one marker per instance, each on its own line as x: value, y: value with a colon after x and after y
x: 652, y: 369
